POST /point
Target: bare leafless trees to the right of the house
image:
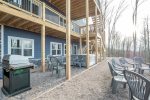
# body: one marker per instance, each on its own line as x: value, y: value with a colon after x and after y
x: 120, y: 46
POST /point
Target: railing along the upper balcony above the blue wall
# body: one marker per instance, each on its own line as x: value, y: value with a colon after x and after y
x: 34, y: 8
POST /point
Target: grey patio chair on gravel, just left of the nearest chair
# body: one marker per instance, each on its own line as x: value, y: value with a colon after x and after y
x: 117, y: 77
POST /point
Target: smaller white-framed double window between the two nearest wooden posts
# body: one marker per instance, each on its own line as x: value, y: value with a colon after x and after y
x: 56, y: 49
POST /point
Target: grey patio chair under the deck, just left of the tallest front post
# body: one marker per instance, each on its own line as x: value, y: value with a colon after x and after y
x: 57, y: 65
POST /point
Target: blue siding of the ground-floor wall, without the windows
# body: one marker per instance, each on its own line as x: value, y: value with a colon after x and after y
x: 9, y: 31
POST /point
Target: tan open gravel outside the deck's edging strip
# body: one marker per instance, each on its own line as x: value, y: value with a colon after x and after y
x: 93, y: 84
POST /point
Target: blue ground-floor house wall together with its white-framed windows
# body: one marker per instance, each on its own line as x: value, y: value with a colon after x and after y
x: 27, y: 43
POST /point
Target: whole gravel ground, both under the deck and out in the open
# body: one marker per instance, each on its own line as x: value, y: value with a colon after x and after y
x: 91, y: 84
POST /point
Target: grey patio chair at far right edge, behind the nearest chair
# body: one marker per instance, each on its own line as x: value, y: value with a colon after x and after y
x: 141, y: 65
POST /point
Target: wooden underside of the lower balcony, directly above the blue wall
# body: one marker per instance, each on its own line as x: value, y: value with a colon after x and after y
x: 20, y: 23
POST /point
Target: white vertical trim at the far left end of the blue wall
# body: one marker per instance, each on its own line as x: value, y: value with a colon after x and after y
x: 2, y: 41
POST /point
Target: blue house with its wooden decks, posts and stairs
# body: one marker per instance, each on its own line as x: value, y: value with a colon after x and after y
x: 37, y: 28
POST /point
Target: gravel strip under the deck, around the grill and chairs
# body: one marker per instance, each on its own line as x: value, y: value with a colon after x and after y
x: 40, y: 82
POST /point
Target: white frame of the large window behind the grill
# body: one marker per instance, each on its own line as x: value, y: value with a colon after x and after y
x: 22, y: 39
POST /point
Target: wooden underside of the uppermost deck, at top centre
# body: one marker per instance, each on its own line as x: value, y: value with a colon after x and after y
x: 77, y: 8
